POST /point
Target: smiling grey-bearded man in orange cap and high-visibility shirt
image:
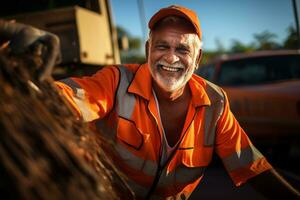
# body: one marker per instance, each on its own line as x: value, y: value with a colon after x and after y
x: 164, y: 121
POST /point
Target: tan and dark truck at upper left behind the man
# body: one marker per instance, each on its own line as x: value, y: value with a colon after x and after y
x: 86, y: 30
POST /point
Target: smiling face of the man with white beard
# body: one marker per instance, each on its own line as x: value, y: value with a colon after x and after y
x: 172, y: 56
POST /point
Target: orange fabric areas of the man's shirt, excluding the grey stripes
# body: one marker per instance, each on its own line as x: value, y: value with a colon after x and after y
x: 143, y: 137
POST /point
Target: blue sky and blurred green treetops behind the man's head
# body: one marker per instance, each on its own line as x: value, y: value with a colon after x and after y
x: 227, y: 27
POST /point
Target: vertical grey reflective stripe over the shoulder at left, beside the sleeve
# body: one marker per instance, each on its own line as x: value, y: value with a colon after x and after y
x: 125, y: 100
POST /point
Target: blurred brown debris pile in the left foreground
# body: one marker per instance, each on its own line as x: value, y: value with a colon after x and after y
x: 45, y: 153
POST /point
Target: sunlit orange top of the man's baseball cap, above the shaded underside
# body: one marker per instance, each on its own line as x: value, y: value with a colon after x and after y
x: 180, y: 11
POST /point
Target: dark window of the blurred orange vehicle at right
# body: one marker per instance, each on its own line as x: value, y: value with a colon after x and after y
x: 253, y: 71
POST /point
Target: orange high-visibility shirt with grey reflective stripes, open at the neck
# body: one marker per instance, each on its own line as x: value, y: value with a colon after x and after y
x: 118, y: 100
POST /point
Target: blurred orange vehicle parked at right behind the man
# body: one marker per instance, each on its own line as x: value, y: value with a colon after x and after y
x: 264, y: 92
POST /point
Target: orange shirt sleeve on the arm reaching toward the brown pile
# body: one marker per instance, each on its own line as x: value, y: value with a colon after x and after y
x: 91, y: 97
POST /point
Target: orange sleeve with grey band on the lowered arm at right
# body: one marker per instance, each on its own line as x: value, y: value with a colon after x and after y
x: 240, y: 158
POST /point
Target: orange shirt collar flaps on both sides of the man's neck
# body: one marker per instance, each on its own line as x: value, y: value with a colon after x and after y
x: 142, y: 86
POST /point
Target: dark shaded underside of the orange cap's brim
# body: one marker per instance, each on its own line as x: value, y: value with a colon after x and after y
x: 174, y: 22
